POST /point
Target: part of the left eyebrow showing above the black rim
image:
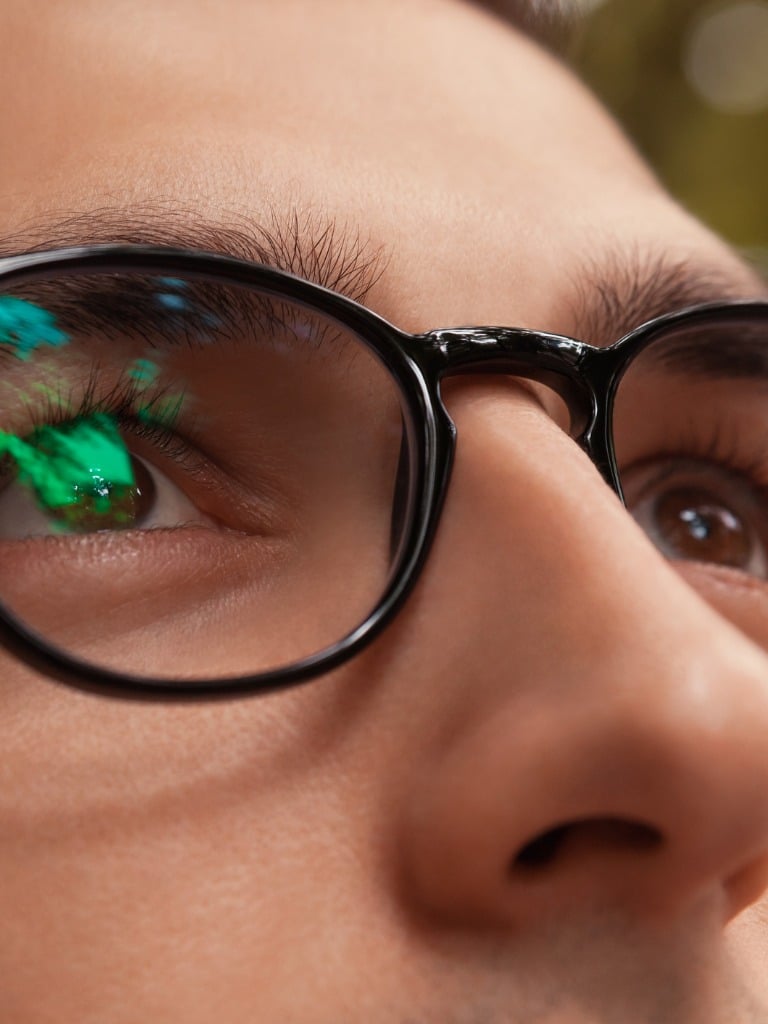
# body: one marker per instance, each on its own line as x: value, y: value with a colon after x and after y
x: 307, y: 244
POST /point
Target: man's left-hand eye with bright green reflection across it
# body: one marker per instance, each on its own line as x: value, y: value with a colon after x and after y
x: 81, y: 479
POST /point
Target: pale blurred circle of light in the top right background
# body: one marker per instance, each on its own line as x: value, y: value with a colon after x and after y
x: 726, y: 58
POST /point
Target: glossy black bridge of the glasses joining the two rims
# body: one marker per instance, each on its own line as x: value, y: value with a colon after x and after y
x: 554, y: 361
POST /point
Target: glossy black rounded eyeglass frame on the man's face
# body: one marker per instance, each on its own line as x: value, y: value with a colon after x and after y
x: 585, y: 377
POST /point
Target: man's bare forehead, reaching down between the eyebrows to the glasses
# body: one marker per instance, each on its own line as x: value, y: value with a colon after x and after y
x: 428, y: 126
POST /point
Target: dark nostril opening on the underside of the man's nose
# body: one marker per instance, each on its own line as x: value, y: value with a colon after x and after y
x: 594, y: 834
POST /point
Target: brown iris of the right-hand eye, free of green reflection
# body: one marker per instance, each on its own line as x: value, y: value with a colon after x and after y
x: 698, y: 526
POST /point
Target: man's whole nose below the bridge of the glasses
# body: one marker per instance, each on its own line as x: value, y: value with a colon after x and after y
x: 602, y: 734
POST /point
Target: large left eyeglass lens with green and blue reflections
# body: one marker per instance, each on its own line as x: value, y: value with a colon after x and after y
x: 197, y: 480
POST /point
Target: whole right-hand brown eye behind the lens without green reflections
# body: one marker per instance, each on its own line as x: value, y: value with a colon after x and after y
x: 702, y: 513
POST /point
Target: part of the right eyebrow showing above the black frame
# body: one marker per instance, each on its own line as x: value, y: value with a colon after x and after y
x: 620, y: 292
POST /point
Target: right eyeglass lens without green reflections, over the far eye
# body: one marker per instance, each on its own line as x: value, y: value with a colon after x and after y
x: 691, y: 426
